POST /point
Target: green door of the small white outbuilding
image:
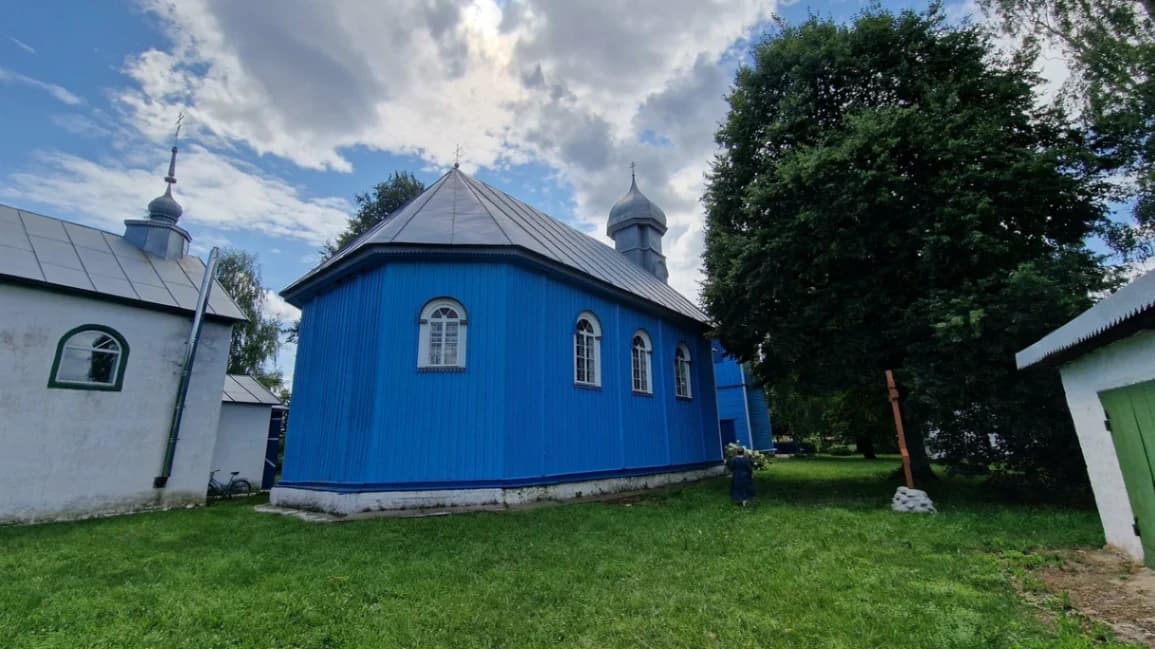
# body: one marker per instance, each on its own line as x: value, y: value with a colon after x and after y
x: 1131, y: 420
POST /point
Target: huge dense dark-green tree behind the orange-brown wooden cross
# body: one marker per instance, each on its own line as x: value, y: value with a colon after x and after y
x: 888, y: 196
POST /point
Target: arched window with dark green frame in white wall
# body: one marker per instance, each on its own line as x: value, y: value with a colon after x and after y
x: 91, y: 357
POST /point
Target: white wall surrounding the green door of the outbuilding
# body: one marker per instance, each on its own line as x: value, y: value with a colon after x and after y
x: 1123, y: 363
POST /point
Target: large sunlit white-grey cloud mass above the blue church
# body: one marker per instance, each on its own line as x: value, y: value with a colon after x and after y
x: 570, y: 85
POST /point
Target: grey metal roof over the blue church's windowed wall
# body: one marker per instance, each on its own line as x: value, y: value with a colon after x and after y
x: 460, y: 211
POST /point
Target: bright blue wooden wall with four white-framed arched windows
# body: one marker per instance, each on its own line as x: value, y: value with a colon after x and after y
x: 366, y: 417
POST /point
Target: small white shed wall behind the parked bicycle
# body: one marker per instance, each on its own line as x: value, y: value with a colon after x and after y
x: 242, y: 441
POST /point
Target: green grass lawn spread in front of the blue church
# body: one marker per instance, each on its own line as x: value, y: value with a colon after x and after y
x: 818, y: 562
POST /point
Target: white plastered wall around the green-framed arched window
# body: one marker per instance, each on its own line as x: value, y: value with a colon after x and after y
x: 68, y: 453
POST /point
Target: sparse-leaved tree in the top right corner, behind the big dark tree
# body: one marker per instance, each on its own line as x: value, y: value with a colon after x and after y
x: 1111, y: 46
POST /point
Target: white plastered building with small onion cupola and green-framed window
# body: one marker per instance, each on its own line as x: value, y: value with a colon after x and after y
x: 94, y: 329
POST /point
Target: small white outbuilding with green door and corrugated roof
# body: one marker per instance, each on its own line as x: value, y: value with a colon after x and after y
x: 1107, y: 360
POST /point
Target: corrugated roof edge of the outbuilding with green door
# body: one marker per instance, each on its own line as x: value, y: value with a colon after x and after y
x: 1131, y: 301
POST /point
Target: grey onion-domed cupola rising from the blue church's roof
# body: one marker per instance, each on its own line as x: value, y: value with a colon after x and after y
x: 637, y: 227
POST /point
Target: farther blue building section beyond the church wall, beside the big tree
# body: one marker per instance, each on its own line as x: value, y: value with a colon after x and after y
x: 743, y: 415
